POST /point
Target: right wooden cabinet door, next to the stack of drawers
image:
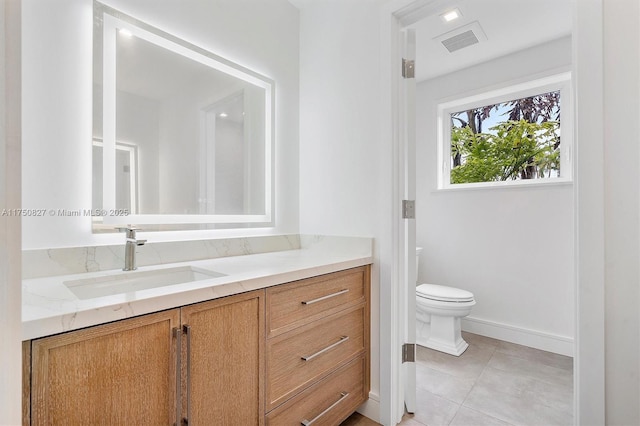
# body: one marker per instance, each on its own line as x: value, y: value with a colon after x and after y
x: 224, y: 361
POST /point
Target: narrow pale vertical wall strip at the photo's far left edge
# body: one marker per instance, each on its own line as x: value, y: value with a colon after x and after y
x: 10, y: 295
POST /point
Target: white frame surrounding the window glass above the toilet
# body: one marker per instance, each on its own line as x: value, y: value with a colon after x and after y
x: 557, y: 82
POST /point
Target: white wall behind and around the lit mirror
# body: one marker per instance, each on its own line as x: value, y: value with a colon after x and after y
x: 57, y: 73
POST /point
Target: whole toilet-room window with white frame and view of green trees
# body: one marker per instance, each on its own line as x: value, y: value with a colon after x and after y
x: 517, y: 135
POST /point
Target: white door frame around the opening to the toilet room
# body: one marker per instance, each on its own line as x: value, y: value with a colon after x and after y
x: 588, y: 195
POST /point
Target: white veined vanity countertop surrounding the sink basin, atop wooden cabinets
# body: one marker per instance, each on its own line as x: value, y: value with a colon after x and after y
x: 49, y: 307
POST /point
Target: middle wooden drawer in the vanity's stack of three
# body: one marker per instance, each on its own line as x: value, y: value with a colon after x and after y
x: 297, y: 359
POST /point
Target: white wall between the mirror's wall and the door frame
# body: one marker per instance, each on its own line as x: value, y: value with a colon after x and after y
x: 345, y: 167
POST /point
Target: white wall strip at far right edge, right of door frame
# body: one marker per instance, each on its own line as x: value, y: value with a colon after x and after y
x: 622, y: 210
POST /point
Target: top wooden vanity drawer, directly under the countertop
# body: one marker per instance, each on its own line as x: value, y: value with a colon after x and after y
x: 301, y: 302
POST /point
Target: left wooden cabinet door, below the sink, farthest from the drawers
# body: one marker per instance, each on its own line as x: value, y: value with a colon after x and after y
x: 118, y: 373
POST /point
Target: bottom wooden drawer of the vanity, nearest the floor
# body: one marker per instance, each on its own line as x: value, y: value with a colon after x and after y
x: 329, y: 401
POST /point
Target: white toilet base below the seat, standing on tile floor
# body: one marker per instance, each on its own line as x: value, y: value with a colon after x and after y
x: 442, y: 334
